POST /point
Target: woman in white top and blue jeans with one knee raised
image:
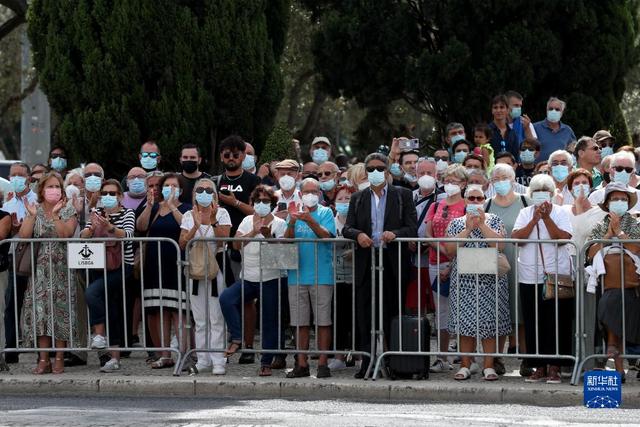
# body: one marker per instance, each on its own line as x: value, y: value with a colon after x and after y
x: 257, y: 280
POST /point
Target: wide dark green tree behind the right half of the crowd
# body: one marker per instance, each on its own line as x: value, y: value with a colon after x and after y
x: 448, y: 59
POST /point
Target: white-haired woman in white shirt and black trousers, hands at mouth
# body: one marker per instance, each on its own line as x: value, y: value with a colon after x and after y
x: 544, y: 221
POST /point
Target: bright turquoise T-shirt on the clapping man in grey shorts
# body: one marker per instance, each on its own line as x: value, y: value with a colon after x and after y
x: 306, y: 273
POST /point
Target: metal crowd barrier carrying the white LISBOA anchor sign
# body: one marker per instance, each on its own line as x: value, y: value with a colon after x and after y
x: 82, y: 256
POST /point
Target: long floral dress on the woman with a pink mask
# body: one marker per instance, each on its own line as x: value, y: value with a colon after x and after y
x: 52, y: 312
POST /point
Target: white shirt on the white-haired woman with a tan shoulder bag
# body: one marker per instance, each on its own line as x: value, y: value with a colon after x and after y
x: 529, y: 258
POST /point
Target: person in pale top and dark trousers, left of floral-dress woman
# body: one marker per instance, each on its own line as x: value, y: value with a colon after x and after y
x: 15, y: 206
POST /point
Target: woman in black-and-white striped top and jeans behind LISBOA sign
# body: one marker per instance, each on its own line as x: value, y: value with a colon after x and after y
x: 112, y: 220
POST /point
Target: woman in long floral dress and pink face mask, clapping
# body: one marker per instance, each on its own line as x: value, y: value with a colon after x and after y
x: 49, y: 296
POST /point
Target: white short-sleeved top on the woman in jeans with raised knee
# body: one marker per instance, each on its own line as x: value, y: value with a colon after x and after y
x: 251, y: 252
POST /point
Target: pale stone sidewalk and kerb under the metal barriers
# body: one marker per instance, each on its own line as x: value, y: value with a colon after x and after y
x: 241, y: 381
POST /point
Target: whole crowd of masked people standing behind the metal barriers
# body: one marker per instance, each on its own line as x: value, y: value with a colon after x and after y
x: 510, y: 178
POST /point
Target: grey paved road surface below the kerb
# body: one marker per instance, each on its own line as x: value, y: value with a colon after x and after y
x: 77, y: 412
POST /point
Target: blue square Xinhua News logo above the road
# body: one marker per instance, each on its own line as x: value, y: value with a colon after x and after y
x: 602, y: 389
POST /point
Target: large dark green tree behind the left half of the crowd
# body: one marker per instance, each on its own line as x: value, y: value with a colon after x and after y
x: 120, y: 72
